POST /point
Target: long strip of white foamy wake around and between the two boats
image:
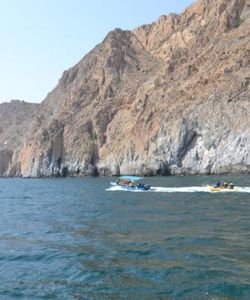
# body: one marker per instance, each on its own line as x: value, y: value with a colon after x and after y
x: 190, y: 189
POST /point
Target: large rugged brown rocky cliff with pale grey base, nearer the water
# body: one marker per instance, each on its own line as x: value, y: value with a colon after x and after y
x: 169, y: 97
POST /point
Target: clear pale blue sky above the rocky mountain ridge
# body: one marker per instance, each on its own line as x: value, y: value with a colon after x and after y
x: 39, y: 39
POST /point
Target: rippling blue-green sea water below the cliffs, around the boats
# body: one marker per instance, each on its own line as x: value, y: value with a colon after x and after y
x: 81, y: 239
